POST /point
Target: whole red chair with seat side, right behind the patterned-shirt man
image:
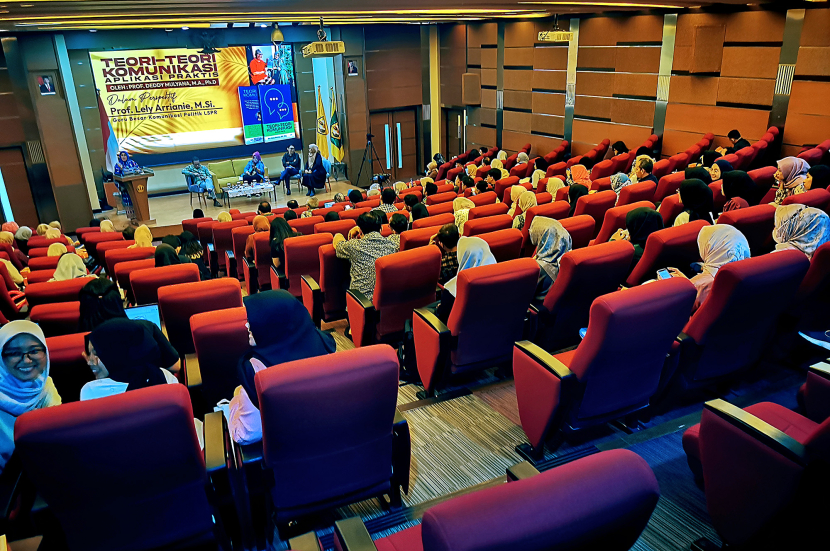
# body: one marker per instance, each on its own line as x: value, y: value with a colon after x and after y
x: 404, y: 281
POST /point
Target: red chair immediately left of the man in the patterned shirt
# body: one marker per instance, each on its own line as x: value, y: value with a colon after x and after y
x: 326, y: 300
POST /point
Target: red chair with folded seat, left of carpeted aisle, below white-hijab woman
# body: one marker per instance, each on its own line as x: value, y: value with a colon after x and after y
x: 487, y: 296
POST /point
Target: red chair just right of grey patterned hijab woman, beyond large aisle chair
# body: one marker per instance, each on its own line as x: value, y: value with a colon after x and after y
x: 584, y: 275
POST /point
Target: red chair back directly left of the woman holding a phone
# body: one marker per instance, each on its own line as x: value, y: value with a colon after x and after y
x: 675, y: 247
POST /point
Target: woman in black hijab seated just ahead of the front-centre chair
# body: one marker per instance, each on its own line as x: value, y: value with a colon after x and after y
x: 279, y: 331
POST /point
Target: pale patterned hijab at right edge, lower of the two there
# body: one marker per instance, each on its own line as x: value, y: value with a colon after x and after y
x: 800, y: 227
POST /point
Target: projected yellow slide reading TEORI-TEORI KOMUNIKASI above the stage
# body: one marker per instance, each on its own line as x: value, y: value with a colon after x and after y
x: 176, y: 100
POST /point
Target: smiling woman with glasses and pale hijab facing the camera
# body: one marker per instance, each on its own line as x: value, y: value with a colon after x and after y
x: 25, y: 384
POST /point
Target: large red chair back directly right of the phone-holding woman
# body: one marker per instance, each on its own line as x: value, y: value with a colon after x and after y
x: 729, y: 332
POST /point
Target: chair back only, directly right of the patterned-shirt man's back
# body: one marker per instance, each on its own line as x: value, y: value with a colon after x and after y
x: 405, y: 281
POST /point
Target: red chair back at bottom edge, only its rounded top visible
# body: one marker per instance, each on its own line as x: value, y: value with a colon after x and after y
x: 538, y: 514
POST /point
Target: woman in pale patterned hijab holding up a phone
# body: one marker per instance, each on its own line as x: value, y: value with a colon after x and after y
x: 718, y: 245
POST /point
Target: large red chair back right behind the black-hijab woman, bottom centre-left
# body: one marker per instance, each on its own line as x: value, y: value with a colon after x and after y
x: 308, y: 402
